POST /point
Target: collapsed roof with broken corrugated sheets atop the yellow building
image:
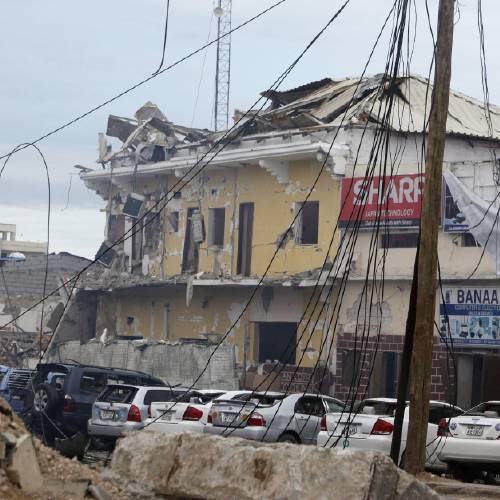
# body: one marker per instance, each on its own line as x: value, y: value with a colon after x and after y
x: 151, y: 137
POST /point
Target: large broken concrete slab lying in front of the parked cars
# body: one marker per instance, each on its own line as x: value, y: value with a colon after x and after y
x: 203, y: 466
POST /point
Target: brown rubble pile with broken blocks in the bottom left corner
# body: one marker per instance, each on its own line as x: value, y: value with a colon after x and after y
x: 30, y: 470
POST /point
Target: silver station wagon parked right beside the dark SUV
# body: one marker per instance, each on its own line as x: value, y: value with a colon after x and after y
x: 121, y: 408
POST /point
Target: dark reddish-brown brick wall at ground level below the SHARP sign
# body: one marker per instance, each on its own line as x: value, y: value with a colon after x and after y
x: 442, y: 378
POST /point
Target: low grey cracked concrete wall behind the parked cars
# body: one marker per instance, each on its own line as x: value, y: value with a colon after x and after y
x: 175, y: 363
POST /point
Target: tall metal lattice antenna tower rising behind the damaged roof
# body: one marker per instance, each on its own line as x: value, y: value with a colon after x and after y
x: 223, y: 65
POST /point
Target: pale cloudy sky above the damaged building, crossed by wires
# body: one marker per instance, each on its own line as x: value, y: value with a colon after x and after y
x: 61, y: 58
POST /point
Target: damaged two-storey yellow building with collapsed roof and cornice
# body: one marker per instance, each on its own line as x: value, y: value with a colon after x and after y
x: 216, y: 220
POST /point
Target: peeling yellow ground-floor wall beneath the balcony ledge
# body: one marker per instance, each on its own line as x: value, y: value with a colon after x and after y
x: 213, y: 309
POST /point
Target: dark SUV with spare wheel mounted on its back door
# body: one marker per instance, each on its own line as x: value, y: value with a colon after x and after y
x: 60, y: 396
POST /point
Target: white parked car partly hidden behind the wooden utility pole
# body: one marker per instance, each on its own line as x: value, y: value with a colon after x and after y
x: 370, y: 424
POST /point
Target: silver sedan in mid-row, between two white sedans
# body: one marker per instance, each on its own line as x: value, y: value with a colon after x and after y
x: 271, y: 417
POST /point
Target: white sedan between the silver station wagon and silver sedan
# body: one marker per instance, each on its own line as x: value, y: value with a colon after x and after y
x: 191, y: 414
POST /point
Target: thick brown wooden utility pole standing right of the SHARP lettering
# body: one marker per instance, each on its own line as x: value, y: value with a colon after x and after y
x: 421, y: 359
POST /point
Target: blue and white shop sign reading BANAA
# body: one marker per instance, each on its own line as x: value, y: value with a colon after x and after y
x: 473, y: 315
